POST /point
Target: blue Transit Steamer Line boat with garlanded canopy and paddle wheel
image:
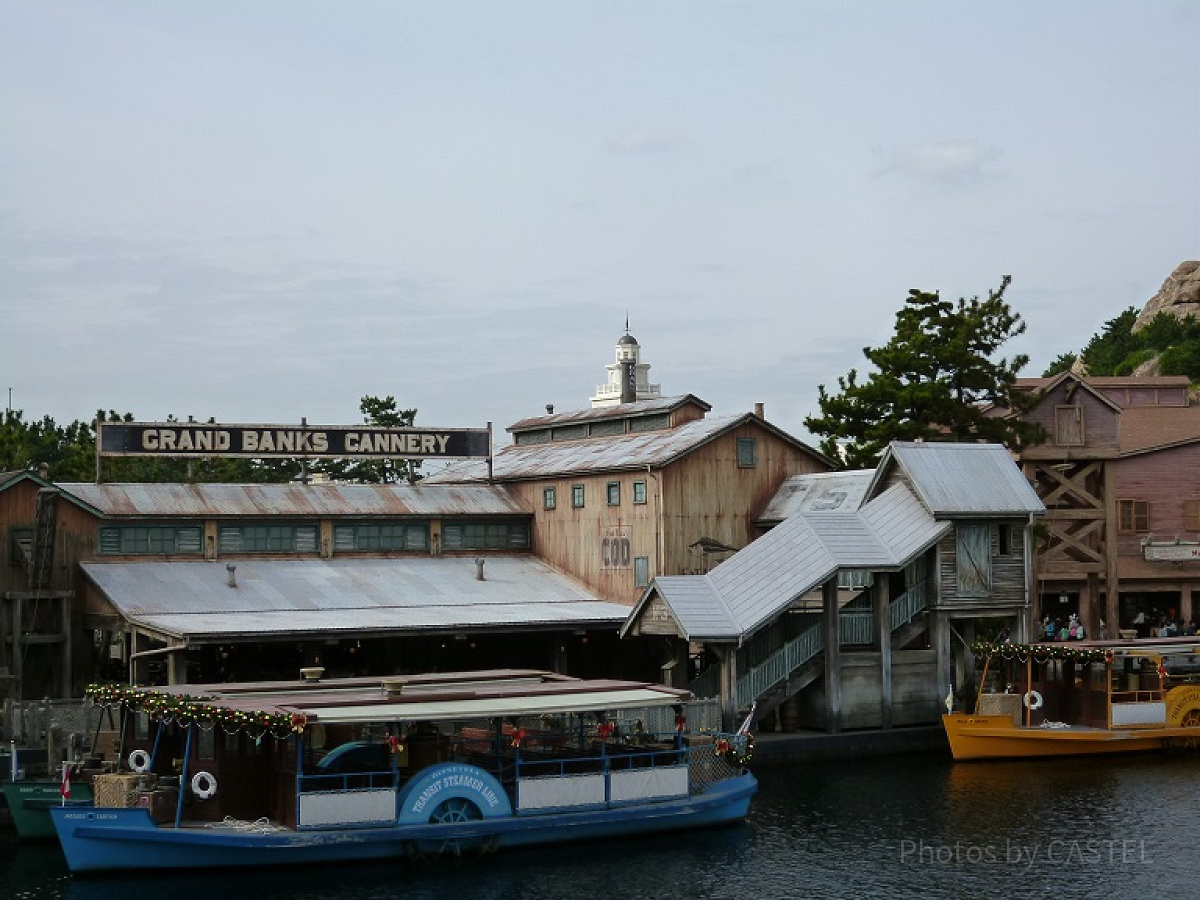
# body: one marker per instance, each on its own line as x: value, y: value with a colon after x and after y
x: 353, y: 770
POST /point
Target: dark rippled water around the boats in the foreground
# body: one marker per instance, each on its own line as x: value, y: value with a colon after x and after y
x: 901, y: 827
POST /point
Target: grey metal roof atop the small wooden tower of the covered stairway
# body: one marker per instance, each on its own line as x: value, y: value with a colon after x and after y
x: 964, y: 479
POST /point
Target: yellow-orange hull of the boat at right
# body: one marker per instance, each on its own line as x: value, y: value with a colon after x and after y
x: 995, y: 737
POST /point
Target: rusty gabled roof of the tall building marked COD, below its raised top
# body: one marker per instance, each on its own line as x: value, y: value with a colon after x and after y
x: 615, y: 453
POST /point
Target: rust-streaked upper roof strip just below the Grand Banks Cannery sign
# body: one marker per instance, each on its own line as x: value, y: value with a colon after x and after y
x: 296, y: 501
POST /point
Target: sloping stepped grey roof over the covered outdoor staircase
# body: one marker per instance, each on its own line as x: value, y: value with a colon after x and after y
x: 765, y: 579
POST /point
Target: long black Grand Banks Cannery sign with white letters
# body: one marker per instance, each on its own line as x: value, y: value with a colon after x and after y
x: 194, y: 440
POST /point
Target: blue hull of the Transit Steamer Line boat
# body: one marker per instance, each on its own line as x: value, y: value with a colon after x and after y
x: 100, y: 839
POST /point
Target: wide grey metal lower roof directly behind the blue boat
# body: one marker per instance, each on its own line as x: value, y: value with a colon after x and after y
x: 284, y: 597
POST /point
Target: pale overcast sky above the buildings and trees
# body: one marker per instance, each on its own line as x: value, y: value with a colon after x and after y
x: 261, y: 212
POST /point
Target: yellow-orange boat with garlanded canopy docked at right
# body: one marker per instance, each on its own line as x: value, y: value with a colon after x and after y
x: 1081, y: 699
